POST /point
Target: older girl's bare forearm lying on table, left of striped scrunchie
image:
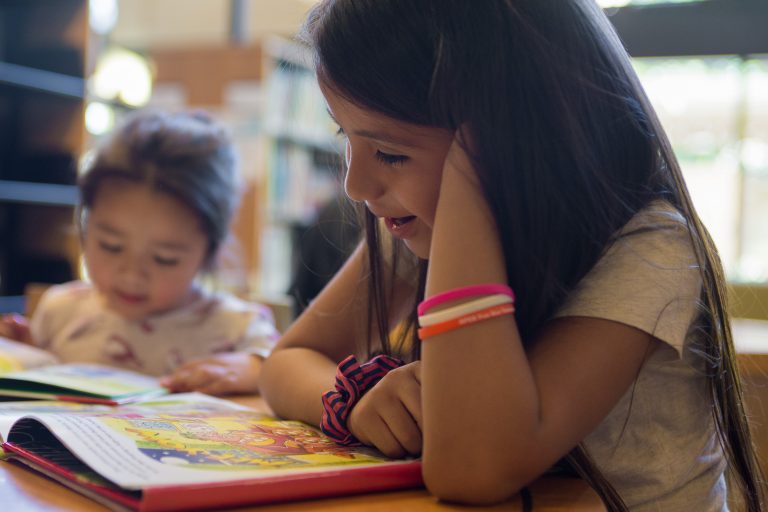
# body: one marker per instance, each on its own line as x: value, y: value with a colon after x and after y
x: 293, y: 381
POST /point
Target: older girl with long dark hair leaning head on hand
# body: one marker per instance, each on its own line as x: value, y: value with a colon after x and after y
x: 524, y: 206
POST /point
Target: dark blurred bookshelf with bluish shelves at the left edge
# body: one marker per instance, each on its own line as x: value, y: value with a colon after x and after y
x: 43, y: 53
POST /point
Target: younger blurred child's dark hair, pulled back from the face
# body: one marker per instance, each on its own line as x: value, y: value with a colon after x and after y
x: 183, y: 154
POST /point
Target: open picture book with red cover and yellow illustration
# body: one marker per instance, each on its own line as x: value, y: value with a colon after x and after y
x: 178, y: 453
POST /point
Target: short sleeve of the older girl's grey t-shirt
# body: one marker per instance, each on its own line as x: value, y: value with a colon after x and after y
x: 648, y: 278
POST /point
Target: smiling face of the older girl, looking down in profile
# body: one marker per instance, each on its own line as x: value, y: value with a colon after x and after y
x: 394, y: 167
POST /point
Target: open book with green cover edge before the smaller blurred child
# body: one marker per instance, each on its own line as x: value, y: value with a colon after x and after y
x: 32, y: 373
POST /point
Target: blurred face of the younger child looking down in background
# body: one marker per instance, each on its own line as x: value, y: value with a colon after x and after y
x: 143, y: 249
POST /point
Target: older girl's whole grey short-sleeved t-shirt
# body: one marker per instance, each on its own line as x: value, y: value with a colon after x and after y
x: 658, y: 446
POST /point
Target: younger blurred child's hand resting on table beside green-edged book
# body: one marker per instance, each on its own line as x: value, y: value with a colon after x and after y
x: 217, y: 375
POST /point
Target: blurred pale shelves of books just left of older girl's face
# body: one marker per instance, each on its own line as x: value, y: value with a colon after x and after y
x: 302, y: 160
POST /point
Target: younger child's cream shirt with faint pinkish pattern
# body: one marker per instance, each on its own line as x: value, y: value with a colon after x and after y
x: 71, y: 322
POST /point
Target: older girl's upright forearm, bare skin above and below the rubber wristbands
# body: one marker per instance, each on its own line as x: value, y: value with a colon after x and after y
x: 479, y: 393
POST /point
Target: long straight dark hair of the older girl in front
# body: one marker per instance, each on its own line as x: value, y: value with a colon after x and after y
x: 565, y: 144
